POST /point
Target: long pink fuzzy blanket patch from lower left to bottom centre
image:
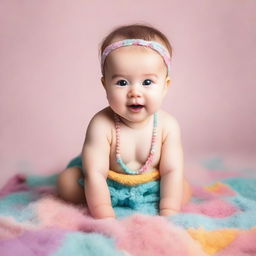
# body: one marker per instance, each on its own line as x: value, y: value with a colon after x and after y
x: 135, y: 234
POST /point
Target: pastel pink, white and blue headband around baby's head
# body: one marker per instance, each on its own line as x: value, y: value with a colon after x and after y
x: 128, y: 42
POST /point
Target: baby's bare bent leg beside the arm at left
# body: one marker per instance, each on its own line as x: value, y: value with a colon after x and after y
x: 68, y: 187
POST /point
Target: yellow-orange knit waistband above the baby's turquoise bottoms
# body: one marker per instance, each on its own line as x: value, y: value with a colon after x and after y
x: 131, y: 180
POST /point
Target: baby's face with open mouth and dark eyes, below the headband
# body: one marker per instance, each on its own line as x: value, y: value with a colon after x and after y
x: 135, y: 81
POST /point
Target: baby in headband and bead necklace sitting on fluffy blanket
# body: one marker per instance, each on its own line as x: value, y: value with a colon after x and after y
x: 132, y: 141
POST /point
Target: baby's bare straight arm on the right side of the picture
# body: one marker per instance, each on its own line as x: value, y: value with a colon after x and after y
x: 171, y: 169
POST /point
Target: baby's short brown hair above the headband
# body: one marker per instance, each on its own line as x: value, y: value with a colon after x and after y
x: 136, y: 31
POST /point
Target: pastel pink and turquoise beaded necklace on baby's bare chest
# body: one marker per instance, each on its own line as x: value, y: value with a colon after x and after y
x: 151, y: 153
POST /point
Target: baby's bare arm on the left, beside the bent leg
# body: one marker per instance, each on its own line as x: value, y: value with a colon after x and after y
x: 95, y: 157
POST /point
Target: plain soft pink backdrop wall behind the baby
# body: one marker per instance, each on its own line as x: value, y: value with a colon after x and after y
x: 50, y: 75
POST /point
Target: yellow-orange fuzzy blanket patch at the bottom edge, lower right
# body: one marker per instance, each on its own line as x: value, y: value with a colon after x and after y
x: 213, y: 241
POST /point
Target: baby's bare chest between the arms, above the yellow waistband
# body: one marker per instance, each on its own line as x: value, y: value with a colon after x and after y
x: 135, y: 145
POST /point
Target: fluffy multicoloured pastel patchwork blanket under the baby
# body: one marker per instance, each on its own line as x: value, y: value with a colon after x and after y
x: 220, y: 220
